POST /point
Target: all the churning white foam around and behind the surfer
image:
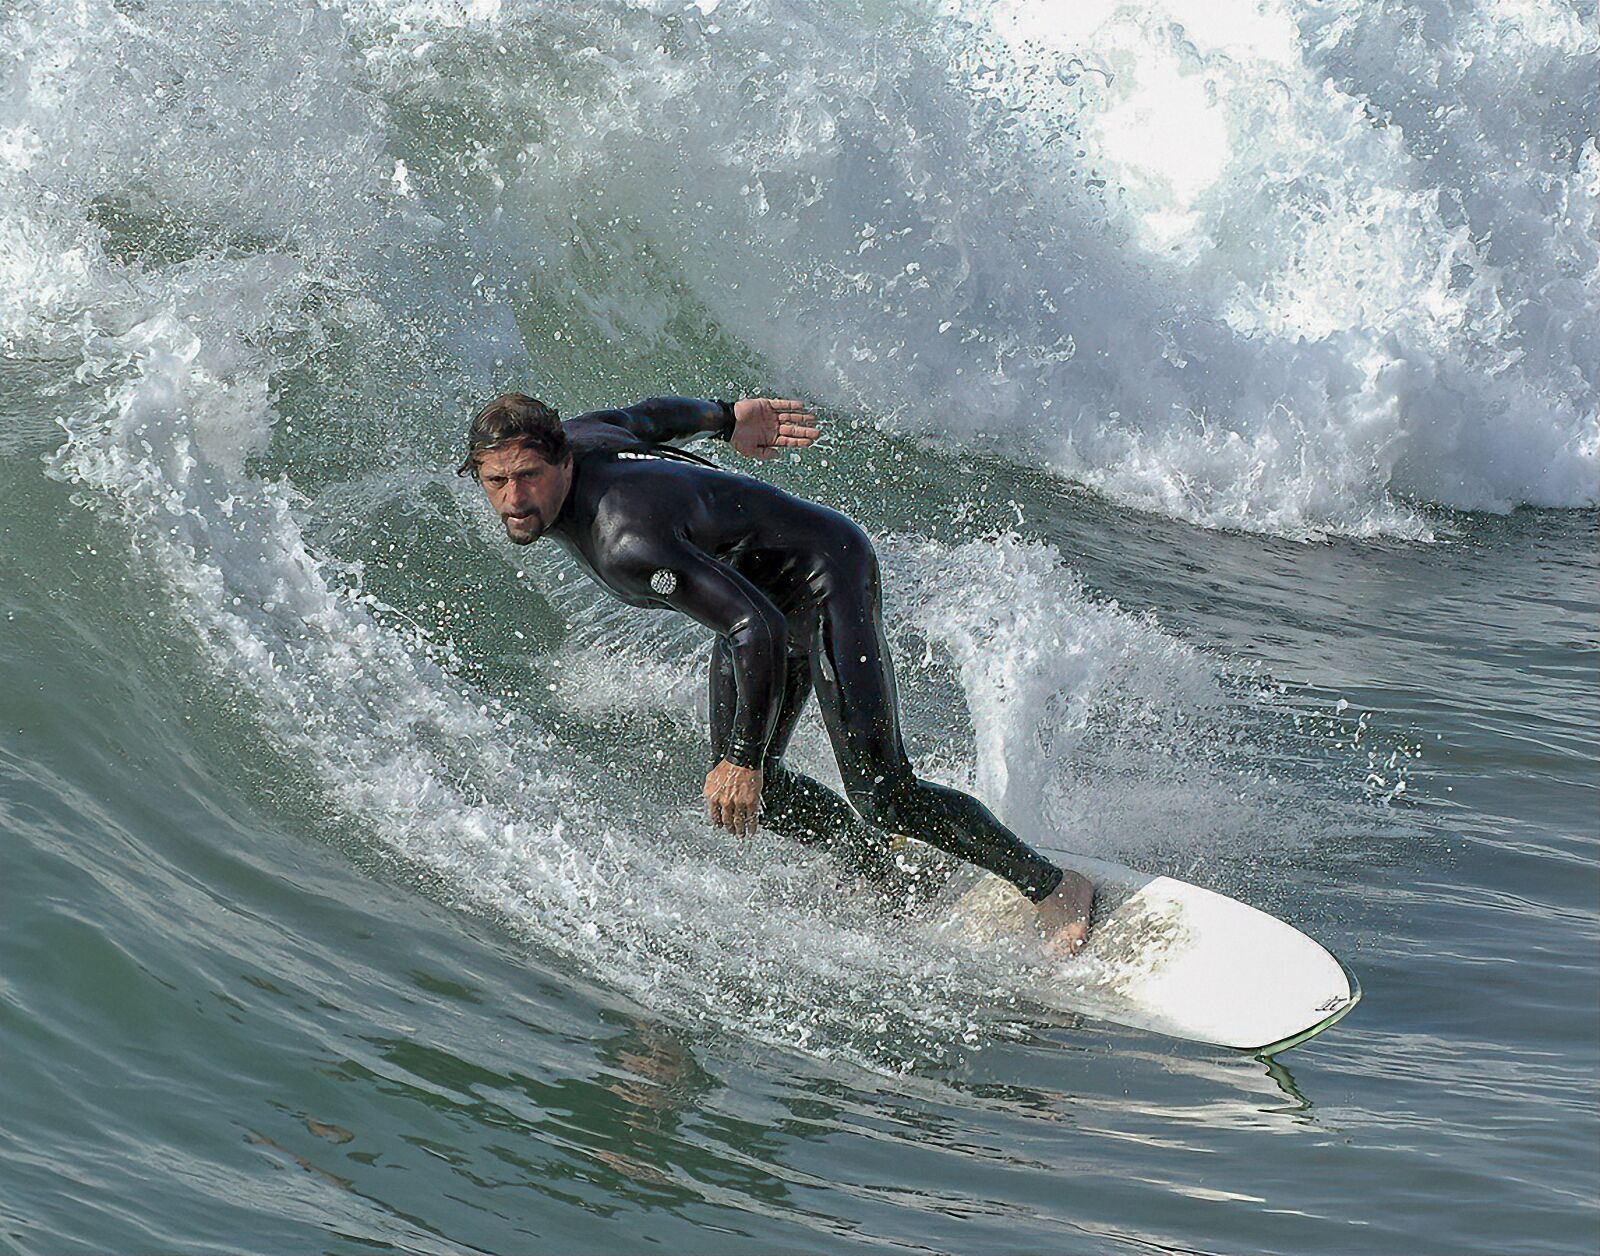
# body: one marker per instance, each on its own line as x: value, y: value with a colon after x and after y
x: 274, y: 254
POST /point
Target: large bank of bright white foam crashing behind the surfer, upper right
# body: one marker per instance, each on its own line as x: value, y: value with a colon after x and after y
x: 1183, y: 254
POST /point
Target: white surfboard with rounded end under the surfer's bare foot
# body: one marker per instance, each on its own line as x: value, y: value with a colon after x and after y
x: 1170, y: 958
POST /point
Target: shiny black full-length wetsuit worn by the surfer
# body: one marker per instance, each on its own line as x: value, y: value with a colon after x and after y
x: 791, y: 590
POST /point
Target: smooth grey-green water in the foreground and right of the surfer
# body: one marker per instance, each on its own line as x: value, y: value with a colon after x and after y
x: 234, y: 1023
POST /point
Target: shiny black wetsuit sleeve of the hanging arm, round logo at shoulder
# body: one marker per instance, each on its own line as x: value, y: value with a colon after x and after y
x: 714, y: 594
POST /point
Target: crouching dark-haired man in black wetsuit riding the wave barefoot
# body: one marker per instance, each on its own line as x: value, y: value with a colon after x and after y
x: 790, y: 588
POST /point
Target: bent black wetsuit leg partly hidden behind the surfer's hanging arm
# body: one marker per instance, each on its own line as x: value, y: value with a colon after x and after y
x: 793, y: 804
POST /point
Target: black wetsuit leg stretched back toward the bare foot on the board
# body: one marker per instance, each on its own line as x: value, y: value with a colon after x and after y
x: 855, y: 686
